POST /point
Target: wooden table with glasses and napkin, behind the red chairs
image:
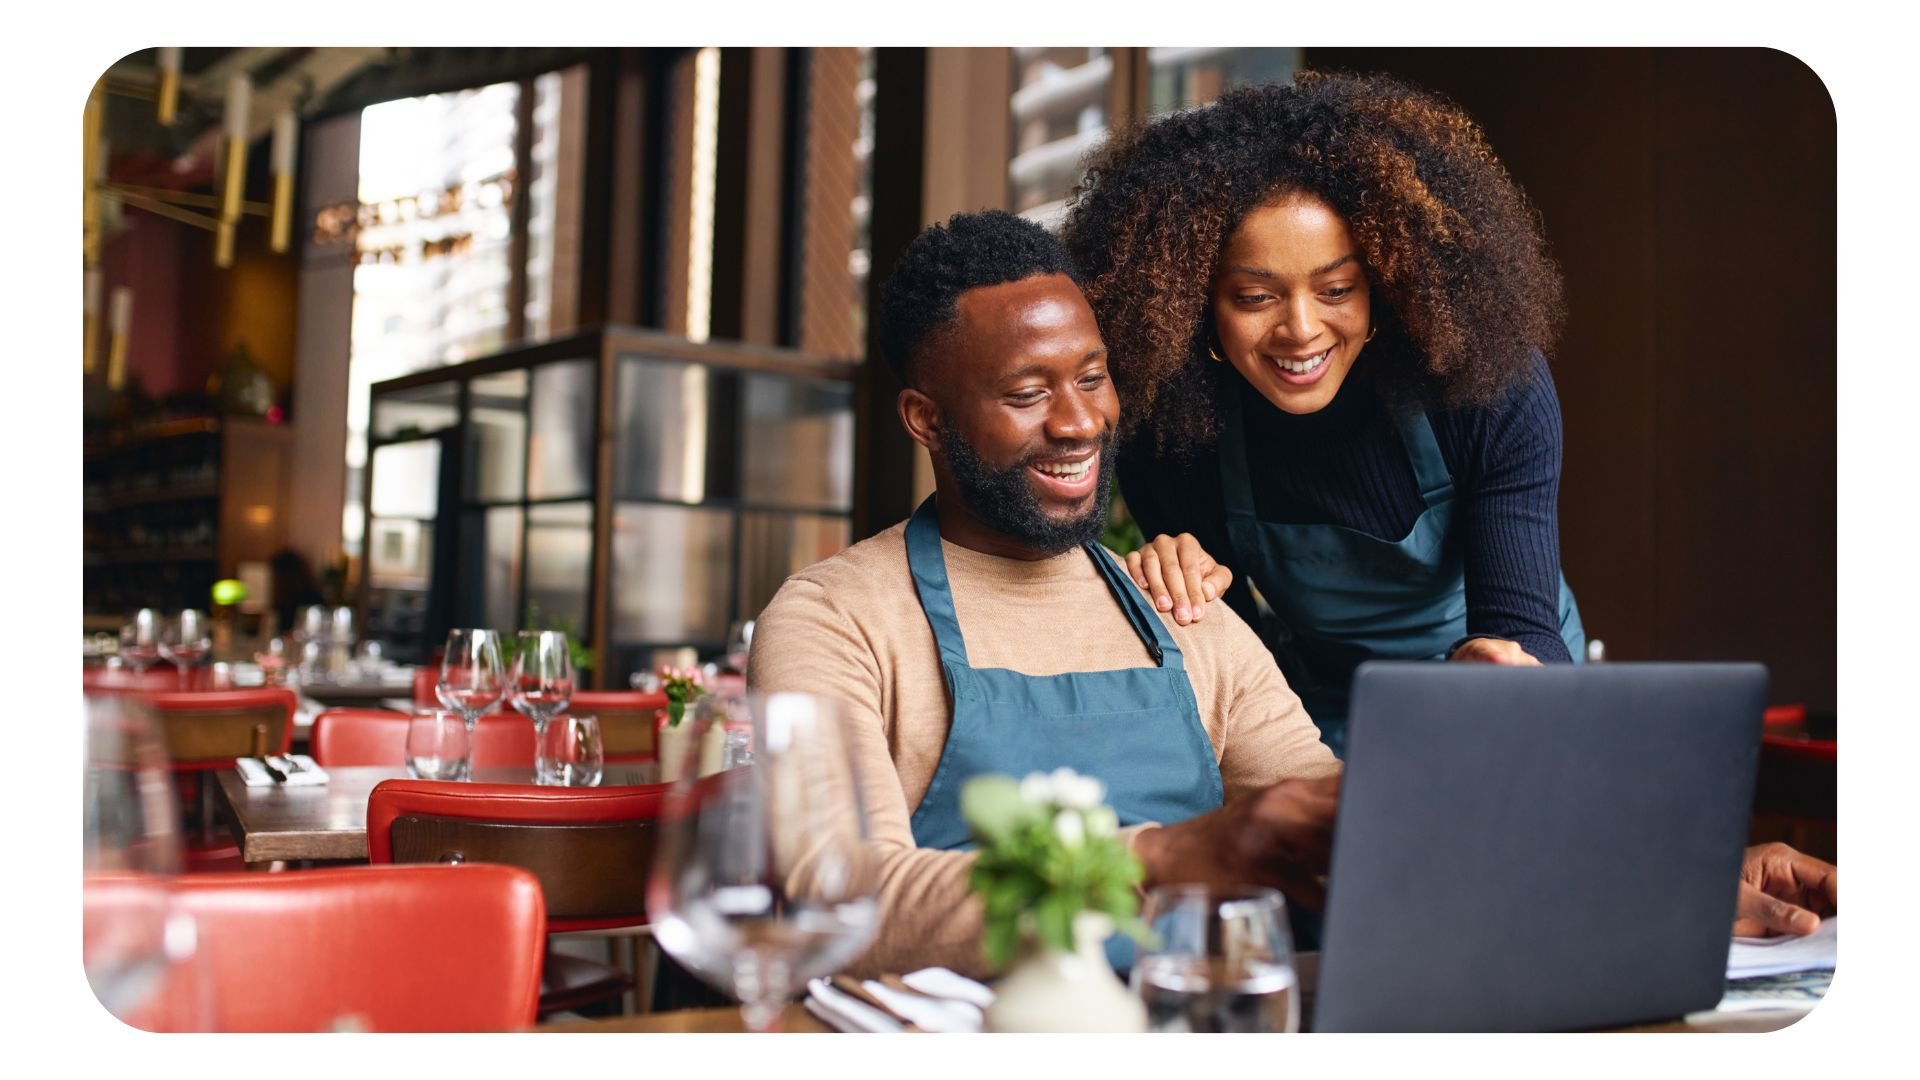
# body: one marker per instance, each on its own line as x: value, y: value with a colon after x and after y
x: 329, y: 822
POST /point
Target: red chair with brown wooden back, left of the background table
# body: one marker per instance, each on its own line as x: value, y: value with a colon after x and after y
x: 206, y: 731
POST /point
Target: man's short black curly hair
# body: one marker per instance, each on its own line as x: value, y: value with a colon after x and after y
x: 971, y: 251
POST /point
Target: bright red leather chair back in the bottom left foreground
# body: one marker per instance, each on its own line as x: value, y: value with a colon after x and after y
x: 377, y: 948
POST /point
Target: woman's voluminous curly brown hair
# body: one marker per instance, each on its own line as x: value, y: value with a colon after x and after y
x: 1462, y: 285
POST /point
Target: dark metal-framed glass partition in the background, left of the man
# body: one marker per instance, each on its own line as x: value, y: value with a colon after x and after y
x: 636, y: 487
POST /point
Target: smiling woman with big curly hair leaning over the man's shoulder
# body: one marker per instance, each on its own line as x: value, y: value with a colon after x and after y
x: 1326, y: 307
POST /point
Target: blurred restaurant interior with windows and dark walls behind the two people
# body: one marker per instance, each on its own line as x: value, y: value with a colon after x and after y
x: 577, y: 335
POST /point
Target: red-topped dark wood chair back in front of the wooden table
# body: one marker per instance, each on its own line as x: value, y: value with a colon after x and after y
x: 590, y: 848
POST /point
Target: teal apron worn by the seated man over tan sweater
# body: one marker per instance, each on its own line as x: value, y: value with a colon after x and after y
x: 1136, y: 729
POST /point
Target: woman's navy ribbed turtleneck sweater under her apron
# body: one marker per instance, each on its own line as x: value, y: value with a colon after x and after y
x: 1345, y: 466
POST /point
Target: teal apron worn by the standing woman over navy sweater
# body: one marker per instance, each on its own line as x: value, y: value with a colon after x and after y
x: 1347, y: 597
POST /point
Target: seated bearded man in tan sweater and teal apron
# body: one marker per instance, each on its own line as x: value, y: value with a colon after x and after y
x: 994, y: 635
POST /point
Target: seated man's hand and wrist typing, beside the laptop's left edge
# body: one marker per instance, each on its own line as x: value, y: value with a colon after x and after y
x: 1276, y: 837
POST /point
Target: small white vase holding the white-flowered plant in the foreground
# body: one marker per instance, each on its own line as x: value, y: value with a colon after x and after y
x: 1051, y: 991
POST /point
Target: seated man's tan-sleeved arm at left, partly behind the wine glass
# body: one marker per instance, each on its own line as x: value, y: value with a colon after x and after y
x: 926, y: 914
